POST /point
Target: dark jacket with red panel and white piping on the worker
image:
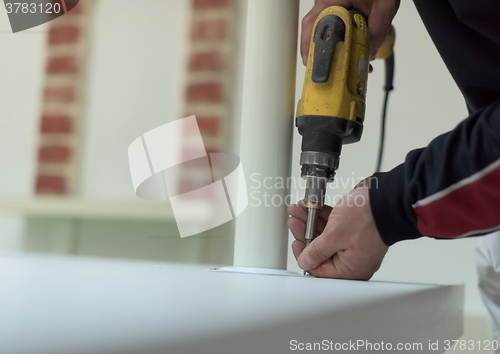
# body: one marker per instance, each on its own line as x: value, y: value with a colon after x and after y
x: 451, y: 188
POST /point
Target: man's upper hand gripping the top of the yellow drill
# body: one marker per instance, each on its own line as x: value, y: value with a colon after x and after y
x: 379, y: 13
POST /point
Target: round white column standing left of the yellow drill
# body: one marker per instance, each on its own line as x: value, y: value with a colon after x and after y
x: 266, y: 130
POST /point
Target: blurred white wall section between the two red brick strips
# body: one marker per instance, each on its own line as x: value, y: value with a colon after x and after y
x: 136, y: 83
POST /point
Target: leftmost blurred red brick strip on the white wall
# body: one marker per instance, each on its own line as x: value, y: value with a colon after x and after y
x: 63, y: 103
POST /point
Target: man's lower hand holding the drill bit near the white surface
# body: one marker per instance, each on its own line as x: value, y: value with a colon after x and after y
x: 349, y: 245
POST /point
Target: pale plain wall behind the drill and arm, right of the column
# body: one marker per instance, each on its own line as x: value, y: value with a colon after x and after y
x: 425, y: 103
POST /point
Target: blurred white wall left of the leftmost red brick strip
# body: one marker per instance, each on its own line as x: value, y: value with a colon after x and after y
x: 22, y: 66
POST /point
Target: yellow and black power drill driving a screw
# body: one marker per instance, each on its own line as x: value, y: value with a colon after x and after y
x: 332, y: 108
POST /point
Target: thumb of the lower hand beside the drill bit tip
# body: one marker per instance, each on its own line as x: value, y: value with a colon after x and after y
x: 318, y: 251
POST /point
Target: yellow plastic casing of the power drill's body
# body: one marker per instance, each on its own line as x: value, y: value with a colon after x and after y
x: 343, y: 95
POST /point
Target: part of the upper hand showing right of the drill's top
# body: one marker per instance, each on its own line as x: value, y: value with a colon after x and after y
x: 379, y: 22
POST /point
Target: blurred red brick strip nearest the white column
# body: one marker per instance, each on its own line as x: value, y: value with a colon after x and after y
x: 209, y: 68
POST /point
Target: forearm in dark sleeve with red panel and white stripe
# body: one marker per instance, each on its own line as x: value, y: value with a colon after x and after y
x: 449, y: 189
